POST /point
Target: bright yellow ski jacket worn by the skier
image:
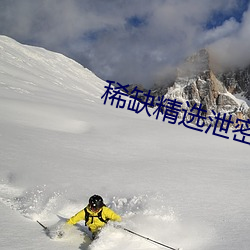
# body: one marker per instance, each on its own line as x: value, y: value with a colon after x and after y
x: 94, y: 223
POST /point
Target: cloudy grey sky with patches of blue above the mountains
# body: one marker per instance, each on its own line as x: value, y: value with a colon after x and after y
x: 131, y: 41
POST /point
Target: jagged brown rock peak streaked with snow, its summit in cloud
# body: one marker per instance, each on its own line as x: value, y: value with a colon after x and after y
x: 197, y: 83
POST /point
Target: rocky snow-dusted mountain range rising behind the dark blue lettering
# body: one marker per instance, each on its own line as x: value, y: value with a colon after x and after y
x: 199, y: 81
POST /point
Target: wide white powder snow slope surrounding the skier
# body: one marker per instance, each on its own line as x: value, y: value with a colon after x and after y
x: 60, y: 144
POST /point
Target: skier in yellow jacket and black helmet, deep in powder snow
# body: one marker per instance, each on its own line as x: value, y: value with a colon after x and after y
x: 95, y: 214
